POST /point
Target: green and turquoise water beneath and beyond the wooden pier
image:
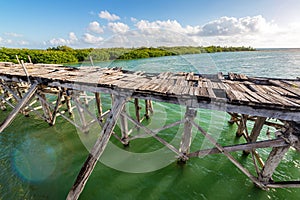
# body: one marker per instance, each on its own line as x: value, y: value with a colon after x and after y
x: 41, y: 162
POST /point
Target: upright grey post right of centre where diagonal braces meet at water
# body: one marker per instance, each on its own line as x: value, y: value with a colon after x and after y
x: 186, y: 139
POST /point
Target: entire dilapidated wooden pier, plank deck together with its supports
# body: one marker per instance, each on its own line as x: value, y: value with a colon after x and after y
x: 26, y: 89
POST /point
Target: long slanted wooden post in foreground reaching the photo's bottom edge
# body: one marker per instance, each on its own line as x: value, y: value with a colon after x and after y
x: 97, y: 150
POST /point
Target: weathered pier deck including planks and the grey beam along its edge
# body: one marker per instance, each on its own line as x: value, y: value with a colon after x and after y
x: 276, y: 98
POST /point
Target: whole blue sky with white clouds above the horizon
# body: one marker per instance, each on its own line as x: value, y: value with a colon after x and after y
x: 102, y: 23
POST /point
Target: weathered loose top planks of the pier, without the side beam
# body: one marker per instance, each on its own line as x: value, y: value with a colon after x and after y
x: 238, y: 87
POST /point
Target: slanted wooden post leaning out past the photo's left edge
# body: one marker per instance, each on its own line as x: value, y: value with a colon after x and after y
x: 18, y: 107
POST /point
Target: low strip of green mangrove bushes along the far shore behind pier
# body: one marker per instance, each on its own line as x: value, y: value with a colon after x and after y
x: 65, y: 54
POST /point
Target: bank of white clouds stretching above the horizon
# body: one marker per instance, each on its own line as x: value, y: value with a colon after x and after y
x: 113, y: 31
